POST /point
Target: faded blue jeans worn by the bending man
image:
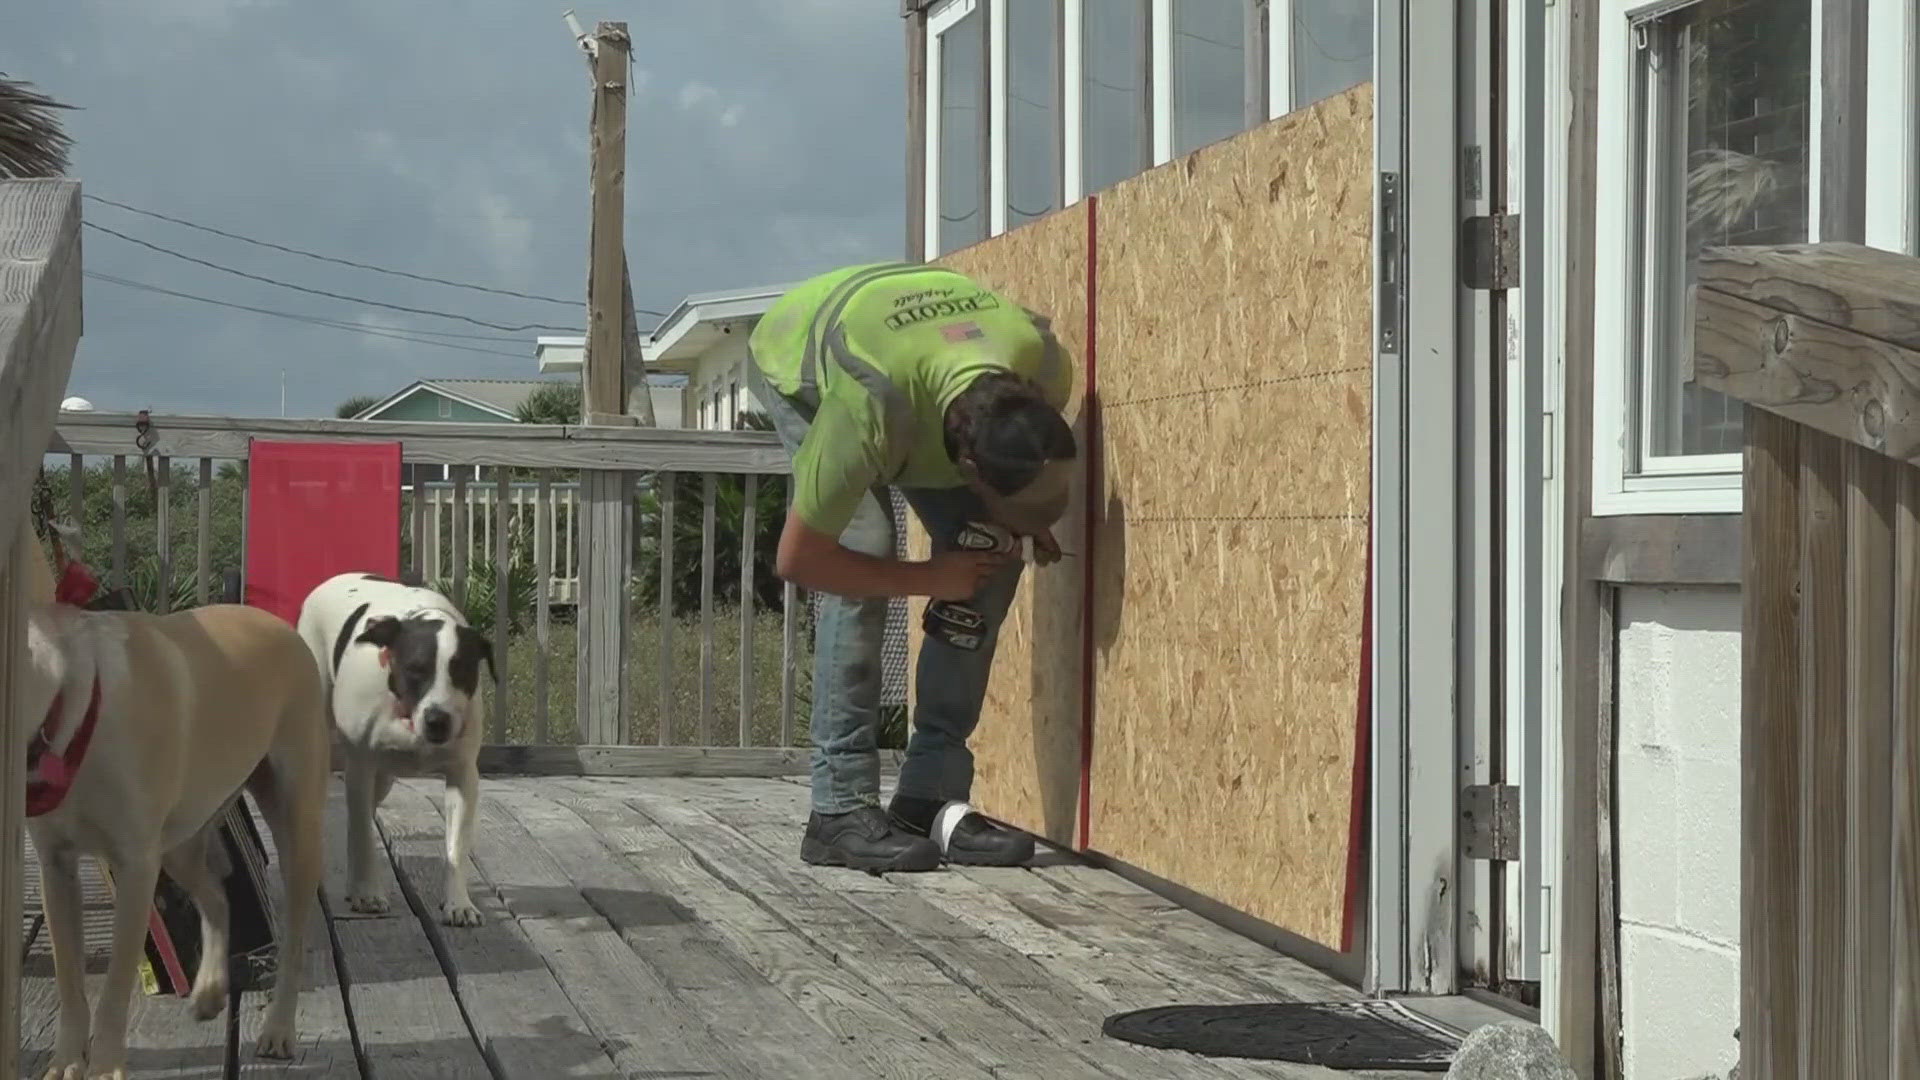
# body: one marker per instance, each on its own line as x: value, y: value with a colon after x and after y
x: 949, y: 685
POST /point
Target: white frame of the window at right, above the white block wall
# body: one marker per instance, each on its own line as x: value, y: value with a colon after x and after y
x: 1712, y: 483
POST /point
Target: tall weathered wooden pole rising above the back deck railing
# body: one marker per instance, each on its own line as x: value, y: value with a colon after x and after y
x: 615, y: 372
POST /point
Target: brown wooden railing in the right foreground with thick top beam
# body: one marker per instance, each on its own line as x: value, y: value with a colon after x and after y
x: 1823, y: 347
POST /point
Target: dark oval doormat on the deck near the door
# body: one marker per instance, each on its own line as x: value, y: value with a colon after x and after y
x: 1347, y: 1035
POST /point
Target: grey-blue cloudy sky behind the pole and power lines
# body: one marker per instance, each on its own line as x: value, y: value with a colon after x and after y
x: 765, y: 141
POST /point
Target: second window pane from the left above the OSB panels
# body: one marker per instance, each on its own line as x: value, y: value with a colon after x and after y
x: 1034, y: 176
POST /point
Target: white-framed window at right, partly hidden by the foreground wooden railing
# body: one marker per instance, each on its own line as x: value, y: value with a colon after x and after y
x: 1712, y: 122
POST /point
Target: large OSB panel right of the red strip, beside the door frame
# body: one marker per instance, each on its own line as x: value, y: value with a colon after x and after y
x: 1236, y: 383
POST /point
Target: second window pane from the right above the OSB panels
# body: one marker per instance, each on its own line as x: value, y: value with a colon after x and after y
x: 1209, y: 72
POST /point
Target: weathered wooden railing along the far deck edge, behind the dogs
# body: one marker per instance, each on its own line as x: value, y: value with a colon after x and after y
x: 627, y: 666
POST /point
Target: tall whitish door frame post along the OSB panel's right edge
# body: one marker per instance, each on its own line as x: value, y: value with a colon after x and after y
x: 1414, y: 745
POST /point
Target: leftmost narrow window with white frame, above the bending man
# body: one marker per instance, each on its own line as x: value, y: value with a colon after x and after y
x: 957, y: 126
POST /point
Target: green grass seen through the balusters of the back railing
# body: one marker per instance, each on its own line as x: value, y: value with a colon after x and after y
x: 644, y: 683
